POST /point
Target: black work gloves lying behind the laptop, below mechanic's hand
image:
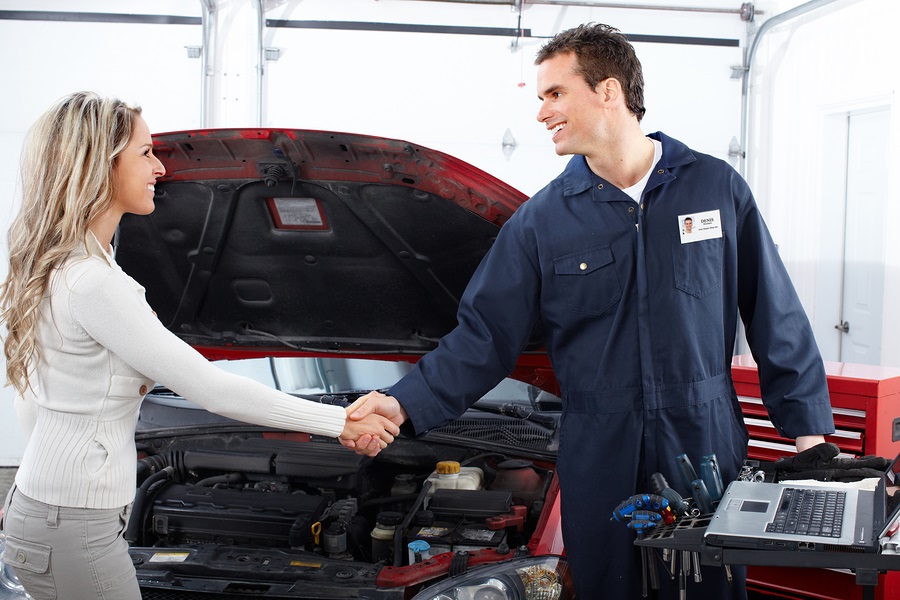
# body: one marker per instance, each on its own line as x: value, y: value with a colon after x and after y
x: 821, y: 463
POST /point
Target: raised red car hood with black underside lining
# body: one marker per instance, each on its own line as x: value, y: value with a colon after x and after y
x: 273, y: 240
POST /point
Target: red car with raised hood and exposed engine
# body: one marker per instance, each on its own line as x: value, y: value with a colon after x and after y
x: 326, y: 264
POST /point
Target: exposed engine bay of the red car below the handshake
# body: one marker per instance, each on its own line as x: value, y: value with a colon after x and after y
x: 404, y: 513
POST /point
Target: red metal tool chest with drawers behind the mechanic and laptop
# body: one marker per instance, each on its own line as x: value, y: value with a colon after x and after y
x: 866, y: 404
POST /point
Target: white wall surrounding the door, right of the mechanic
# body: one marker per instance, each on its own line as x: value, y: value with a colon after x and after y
x: 808, y: 71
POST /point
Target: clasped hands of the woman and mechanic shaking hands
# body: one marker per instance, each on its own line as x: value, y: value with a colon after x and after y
x: 372, y: 423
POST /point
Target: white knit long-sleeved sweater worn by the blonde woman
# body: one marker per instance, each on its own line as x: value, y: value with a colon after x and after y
x: 101, y: 349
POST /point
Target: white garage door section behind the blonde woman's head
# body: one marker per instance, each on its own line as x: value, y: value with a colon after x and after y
x: 41, y: 61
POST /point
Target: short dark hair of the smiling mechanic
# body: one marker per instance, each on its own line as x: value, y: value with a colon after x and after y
x: 602, y: 52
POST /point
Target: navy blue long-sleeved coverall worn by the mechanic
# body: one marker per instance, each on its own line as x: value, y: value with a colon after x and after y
x: 640, y: 329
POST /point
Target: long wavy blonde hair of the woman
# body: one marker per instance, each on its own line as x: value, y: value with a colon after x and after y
x: 66, y: 171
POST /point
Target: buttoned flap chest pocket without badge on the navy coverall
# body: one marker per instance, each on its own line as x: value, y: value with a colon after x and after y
x: 588, y: 280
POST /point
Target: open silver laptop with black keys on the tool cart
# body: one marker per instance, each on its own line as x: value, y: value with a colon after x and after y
x: 797, y: 516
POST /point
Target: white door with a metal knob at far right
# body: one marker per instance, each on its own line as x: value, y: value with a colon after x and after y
x: 859, y: 323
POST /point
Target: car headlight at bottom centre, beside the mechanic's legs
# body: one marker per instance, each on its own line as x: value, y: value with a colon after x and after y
x: 539, y: 578
